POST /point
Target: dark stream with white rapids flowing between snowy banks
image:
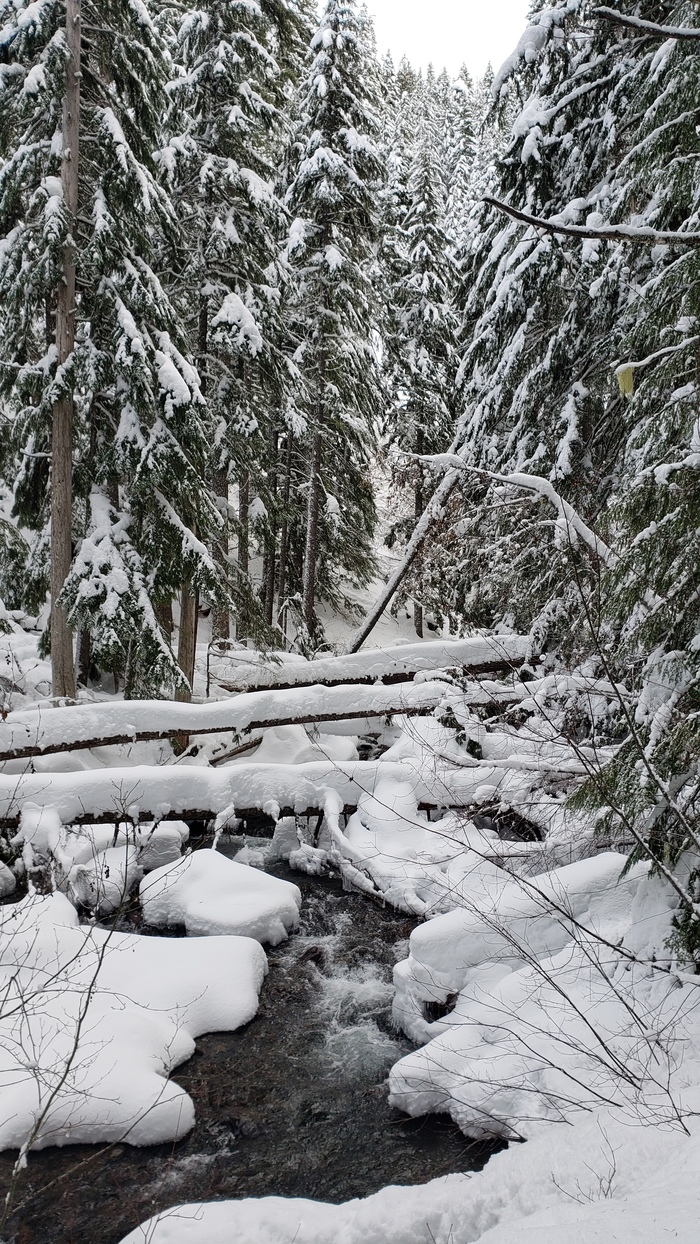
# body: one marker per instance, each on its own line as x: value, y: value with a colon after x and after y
x: 295, y: 1104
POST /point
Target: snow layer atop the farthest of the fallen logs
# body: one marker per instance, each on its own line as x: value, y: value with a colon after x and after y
x: 396, y: 664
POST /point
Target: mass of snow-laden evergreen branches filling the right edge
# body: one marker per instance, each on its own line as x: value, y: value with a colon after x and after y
x: 551, y: 320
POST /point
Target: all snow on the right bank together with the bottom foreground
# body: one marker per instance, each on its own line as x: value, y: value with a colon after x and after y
x: 565, y: 1021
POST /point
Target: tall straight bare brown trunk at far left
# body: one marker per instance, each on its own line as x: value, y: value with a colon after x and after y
x: 63, y: 670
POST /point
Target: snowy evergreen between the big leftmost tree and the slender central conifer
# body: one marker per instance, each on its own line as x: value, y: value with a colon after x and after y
x: 223, y: 160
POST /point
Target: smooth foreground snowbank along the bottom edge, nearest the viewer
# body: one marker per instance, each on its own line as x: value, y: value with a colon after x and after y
x: 591, y: 1184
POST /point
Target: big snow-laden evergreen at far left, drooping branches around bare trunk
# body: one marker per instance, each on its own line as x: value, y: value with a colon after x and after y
x: 139, y: 440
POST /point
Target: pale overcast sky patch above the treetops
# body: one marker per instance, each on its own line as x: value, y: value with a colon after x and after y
x: 449, y: 33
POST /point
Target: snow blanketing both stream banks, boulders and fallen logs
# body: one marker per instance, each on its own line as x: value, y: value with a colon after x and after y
x: 540, y: 992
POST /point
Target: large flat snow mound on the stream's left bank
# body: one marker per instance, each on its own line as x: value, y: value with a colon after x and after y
x: 103, y: 1018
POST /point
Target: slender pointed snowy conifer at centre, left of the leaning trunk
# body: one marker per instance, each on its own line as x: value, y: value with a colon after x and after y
x: 333, y: 196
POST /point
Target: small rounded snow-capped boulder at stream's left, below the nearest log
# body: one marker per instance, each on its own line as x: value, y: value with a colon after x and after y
x: 212, y: 895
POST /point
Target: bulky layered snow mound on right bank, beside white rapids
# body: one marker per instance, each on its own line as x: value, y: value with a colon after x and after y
x: 555, y: 1007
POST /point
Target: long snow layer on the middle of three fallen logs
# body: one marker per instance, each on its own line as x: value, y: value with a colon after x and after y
x: 47, y: 730
